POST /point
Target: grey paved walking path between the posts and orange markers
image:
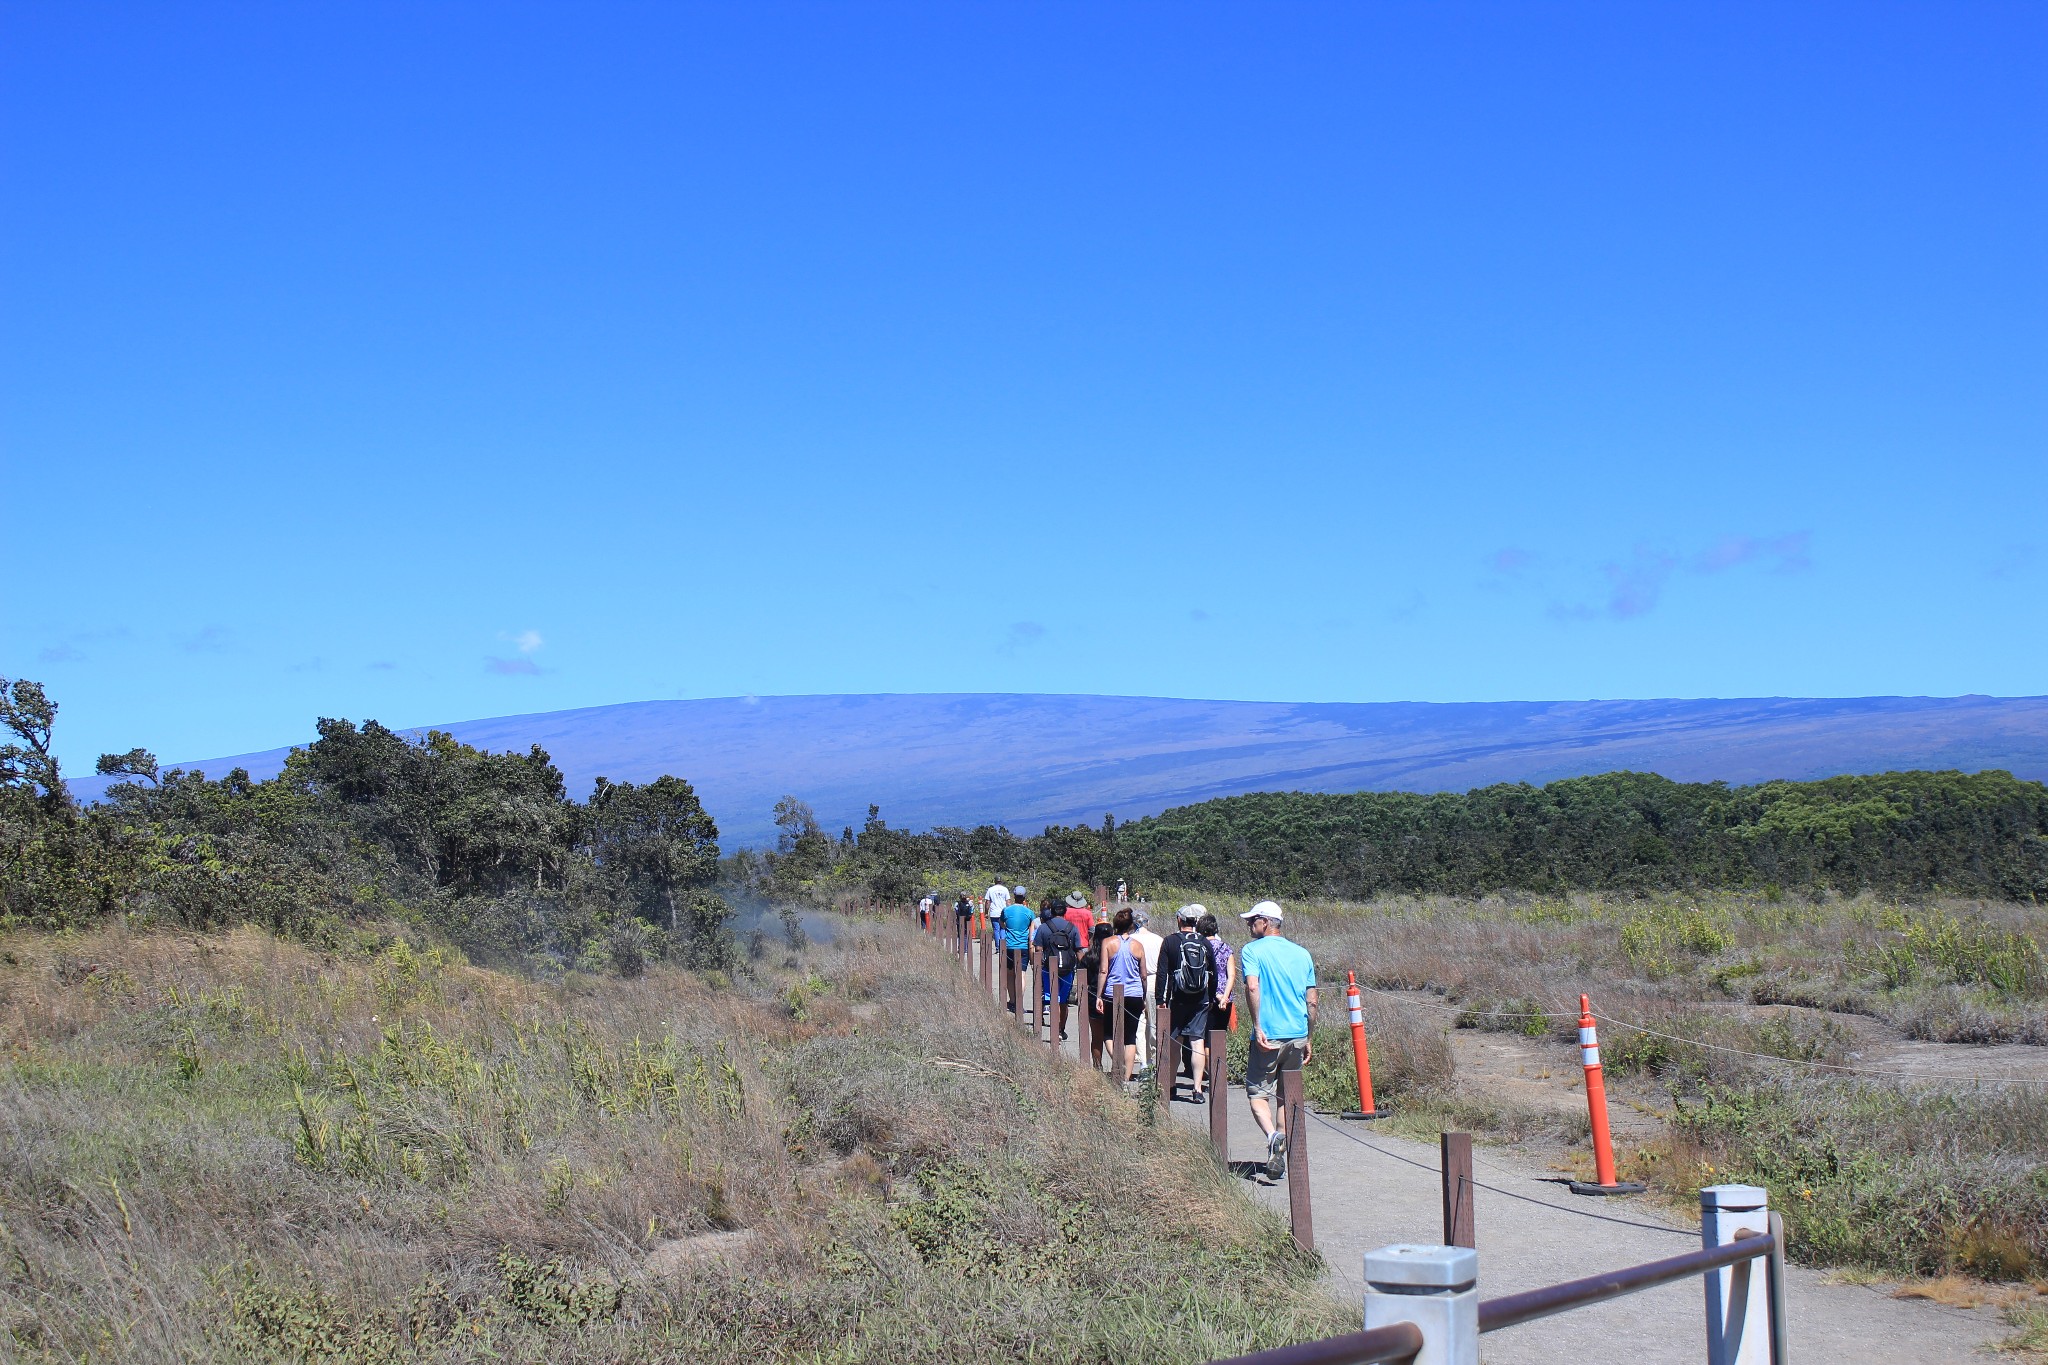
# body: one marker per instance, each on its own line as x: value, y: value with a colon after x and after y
x: 1367, y: 1194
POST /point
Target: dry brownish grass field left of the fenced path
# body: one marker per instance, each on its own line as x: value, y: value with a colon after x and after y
x: 243, y: 1149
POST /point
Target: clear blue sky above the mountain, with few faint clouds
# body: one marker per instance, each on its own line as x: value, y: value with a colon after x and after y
x: 441, y: 361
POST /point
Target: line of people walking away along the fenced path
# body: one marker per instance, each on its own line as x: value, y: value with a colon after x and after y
x: 1193, y: 975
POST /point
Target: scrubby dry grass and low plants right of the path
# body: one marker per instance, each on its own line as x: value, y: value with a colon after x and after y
x: 1904, y: 1178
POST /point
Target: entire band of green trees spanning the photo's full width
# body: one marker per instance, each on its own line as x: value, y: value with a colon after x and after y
x: 490, y: 850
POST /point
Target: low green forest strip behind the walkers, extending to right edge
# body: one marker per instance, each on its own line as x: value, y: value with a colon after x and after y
x: 1973, y: 834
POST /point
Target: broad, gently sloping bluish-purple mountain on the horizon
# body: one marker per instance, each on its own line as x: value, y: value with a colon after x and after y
x: 1033, y: 760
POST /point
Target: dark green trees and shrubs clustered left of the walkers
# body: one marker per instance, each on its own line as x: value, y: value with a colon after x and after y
x: 366, y: 826
